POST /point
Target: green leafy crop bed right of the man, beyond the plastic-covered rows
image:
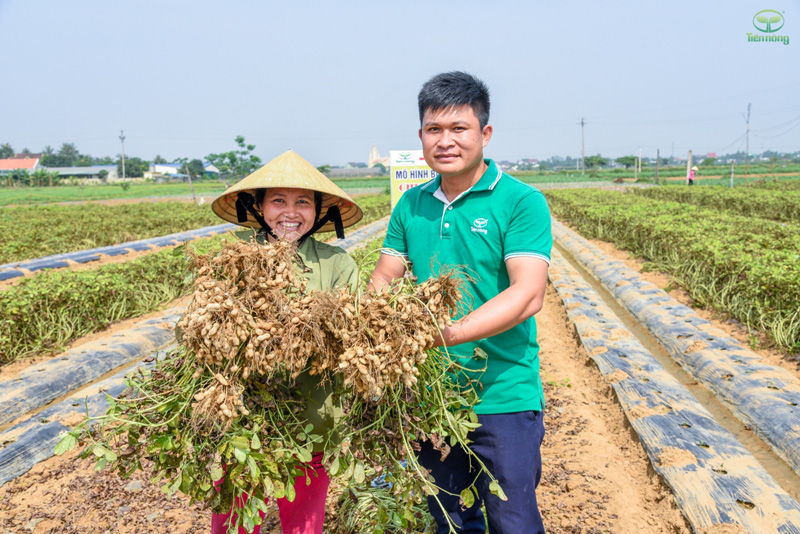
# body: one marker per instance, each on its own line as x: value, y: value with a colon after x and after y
x: 745, y: 266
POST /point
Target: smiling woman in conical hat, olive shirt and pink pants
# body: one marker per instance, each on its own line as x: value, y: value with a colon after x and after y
x: 289, y: 199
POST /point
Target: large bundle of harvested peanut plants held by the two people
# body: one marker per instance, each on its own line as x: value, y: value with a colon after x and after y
x: 222, y: 417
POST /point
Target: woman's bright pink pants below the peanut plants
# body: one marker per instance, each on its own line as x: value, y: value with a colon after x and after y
x: 304, y: 515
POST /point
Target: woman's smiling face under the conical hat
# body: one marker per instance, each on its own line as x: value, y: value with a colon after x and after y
x: 289, y: 211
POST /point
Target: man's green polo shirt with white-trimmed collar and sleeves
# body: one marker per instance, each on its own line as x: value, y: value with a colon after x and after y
x: 497, y: 219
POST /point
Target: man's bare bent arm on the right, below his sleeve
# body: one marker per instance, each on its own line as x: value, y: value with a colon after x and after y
x: 523, y: 298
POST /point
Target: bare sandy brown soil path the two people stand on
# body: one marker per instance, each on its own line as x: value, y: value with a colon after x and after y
x: 596, y: 475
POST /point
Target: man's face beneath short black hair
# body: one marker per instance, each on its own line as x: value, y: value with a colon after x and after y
x: 452, y: 140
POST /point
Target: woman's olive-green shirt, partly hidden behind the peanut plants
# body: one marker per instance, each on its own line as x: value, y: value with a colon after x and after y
x: 326, y: 267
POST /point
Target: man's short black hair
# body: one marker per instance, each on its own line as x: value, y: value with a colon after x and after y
x: 454, y: 89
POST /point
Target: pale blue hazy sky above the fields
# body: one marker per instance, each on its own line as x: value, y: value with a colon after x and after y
x: 329, y: 79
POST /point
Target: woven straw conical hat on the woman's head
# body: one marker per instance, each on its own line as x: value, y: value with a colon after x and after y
x: 288, y: 170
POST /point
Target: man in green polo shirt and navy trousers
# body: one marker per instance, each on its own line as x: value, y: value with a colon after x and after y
x: 499, y: 228
